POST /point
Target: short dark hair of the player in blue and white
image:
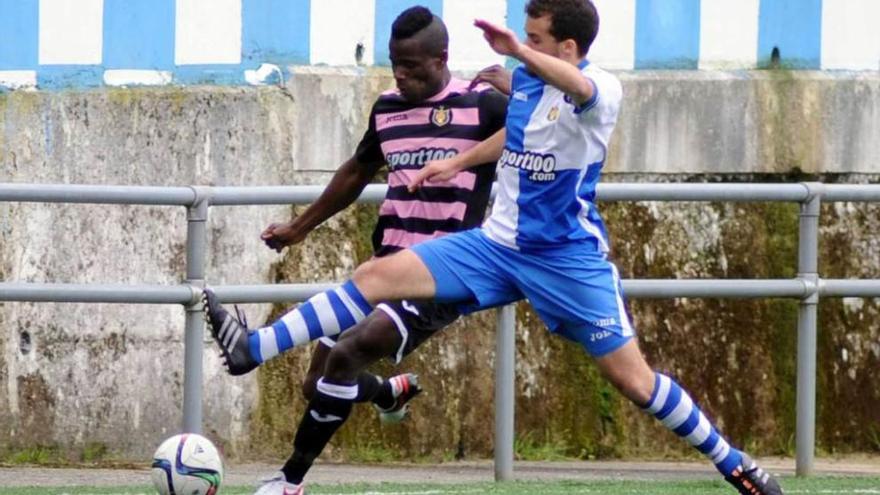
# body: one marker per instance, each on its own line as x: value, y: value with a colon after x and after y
x: 569, y: 19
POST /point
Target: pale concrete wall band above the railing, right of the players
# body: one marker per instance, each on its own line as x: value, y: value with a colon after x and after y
x: 748, y: 122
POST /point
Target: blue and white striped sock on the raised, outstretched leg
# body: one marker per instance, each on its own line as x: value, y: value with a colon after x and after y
x: 324, y: 315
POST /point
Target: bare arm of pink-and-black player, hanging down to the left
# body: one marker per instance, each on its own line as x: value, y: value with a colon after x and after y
x: 344, y: 188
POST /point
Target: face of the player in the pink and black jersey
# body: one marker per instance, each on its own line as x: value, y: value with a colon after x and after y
x: 418, y: 74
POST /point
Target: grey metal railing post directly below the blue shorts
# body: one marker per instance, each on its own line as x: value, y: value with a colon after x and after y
x: 505, y: 356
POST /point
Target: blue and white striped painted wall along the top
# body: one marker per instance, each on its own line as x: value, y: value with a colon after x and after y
x: 85, y: 43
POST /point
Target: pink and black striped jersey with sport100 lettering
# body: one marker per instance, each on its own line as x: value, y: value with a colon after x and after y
x: 407, y: 135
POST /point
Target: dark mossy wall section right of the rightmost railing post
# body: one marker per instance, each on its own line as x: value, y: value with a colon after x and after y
x: 848, y: 418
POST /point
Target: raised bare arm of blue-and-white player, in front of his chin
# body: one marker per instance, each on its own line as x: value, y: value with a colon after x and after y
x: 557, y: 72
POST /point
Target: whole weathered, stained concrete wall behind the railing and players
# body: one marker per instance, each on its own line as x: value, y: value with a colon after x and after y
x: 111, y: 375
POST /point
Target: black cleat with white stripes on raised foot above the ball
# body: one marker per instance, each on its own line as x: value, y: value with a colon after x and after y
x: 230, y: 333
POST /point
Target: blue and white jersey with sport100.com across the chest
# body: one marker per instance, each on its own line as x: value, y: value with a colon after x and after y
x: 552, y: 158
